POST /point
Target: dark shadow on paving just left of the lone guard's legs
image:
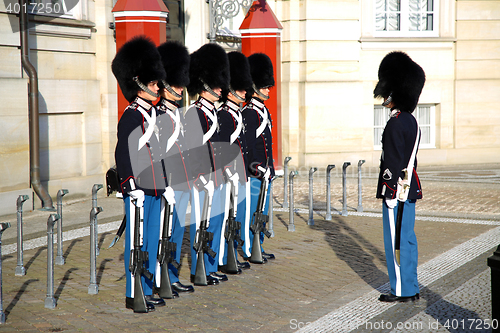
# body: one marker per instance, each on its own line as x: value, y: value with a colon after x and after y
x: 353, y: 249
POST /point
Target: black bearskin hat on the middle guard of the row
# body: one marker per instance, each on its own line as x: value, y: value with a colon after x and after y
x: 209, y: 64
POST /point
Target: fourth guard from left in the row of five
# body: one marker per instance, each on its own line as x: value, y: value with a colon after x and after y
x: 235, y: 161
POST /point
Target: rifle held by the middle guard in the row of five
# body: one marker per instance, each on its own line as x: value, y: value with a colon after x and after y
x: 203, y: 236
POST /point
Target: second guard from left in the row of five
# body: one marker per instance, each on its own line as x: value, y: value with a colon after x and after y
x: 175, y: 59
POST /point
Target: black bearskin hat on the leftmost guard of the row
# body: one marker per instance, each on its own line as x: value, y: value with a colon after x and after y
x: 137, y: 57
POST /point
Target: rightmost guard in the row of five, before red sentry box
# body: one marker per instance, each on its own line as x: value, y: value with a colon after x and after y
x: 258, y: 123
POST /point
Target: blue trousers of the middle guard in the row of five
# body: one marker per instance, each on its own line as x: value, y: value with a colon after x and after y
x: 215, y: 227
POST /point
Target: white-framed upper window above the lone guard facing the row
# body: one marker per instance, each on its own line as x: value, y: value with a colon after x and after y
x: 406, y: 18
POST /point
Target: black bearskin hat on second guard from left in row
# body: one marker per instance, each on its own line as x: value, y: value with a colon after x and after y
x: 175, y: 59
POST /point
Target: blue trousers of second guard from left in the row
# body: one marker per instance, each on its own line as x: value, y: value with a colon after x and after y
x: 178, y: 228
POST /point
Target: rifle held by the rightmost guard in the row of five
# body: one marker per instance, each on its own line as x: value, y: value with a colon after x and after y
x: 260, y: 220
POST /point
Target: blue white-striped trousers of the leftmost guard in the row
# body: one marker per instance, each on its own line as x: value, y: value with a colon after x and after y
x: 151, y: 234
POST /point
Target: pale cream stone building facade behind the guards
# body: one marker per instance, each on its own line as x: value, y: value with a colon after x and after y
x: 330, y: 56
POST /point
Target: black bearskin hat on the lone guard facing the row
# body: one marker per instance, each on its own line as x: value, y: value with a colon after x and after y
x: 402, y: 79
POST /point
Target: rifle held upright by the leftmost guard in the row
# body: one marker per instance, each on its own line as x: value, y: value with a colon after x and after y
x: 138, y: 259
